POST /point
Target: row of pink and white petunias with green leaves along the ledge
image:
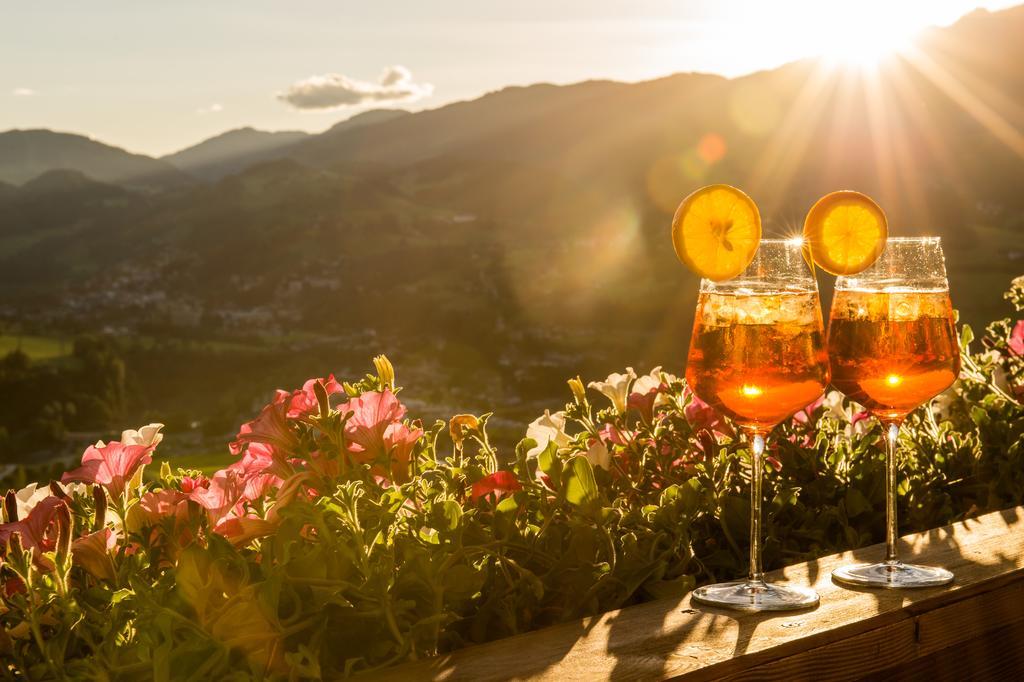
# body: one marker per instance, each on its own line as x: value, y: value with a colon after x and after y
x: 347, y: 536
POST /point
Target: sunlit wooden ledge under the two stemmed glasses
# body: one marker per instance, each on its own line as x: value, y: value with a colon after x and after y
x: 974, y: 626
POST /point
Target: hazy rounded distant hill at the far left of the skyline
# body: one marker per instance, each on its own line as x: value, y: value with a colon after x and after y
x: 26, y: 154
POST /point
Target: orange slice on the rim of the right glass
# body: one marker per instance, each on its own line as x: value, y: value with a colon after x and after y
x: 846, y: 232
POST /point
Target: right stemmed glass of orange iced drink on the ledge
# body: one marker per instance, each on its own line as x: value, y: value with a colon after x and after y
x: 892, y: 347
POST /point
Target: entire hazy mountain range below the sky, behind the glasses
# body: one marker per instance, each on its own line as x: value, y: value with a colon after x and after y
x: 530, y: 222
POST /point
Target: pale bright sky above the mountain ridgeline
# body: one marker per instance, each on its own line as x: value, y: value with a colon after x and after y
x: 155, y: 78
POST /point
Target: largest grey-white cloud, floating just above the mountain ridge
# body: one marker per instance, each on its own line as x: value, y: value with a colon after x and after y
x: 335, y: 91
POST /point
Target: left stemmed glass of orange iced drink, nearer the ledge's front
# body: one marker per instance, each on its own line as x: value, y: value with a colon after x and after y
x: 758, y: 355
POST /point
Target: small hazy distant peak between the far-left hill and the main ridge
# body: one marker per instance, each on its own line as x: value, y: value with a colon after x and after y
x: 234, y: 151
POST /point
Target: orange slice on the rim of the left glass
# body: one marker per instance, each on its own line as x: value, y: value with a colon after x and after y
x: 716, y: 232
